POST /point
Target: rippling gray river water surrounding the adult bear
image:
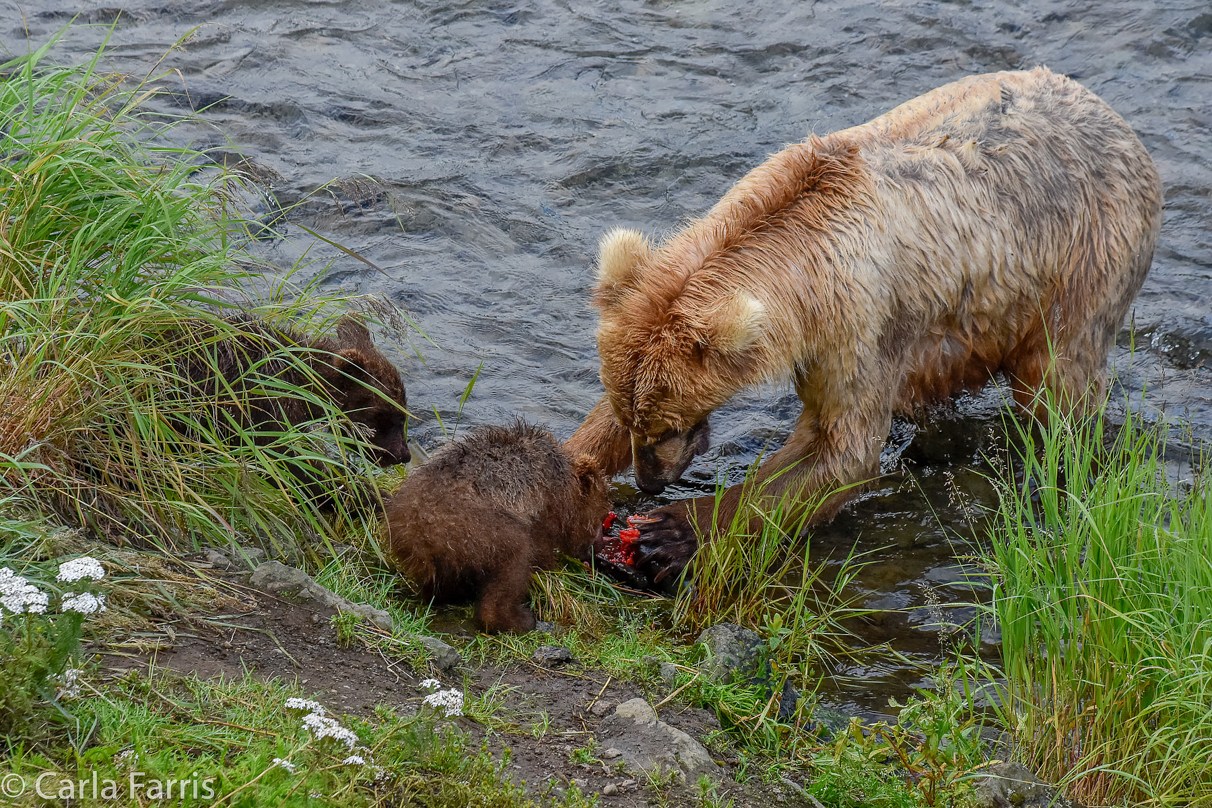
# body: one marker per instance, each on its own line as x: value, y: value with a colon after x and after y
x: 478, y: 151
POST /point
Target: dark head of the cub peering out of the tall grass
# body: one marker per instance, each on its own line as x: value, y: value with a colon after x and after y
x: 370, y: 392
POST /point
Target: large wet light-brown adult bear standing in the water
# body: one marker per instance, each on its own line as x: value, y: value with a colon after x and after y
x: 984, y: 228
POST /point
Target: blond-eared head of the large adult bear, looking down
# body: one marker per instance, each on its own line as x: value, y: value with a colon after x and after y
x: 674, y: 347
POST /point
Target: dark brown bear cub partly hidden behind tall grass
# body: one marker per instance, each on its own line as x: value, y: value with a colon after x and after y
x: 241, y: 376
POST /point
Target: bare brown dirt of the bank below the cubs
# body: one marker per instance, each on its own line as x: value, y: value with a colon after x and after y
x: 277, y: 639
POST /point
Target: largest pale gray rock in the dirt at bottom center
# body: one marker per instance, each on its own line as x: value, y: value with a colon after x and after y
x: 645, y: 743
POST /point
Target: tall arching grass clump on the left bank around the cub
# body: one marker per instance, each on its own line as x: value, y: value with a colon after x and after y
x: 117, y: 259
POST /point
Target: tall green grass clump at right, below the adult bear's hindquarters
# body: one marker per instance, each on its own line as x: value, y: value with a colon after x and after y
x: 1104, y: 591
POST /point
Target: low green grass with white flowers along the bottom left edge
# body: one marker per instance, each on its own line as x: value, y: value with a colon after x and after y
x: 222, y: 738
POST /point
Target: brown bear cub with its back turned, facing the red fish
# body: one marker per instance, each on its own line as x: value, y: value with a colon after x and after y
x: 485, y: 511
